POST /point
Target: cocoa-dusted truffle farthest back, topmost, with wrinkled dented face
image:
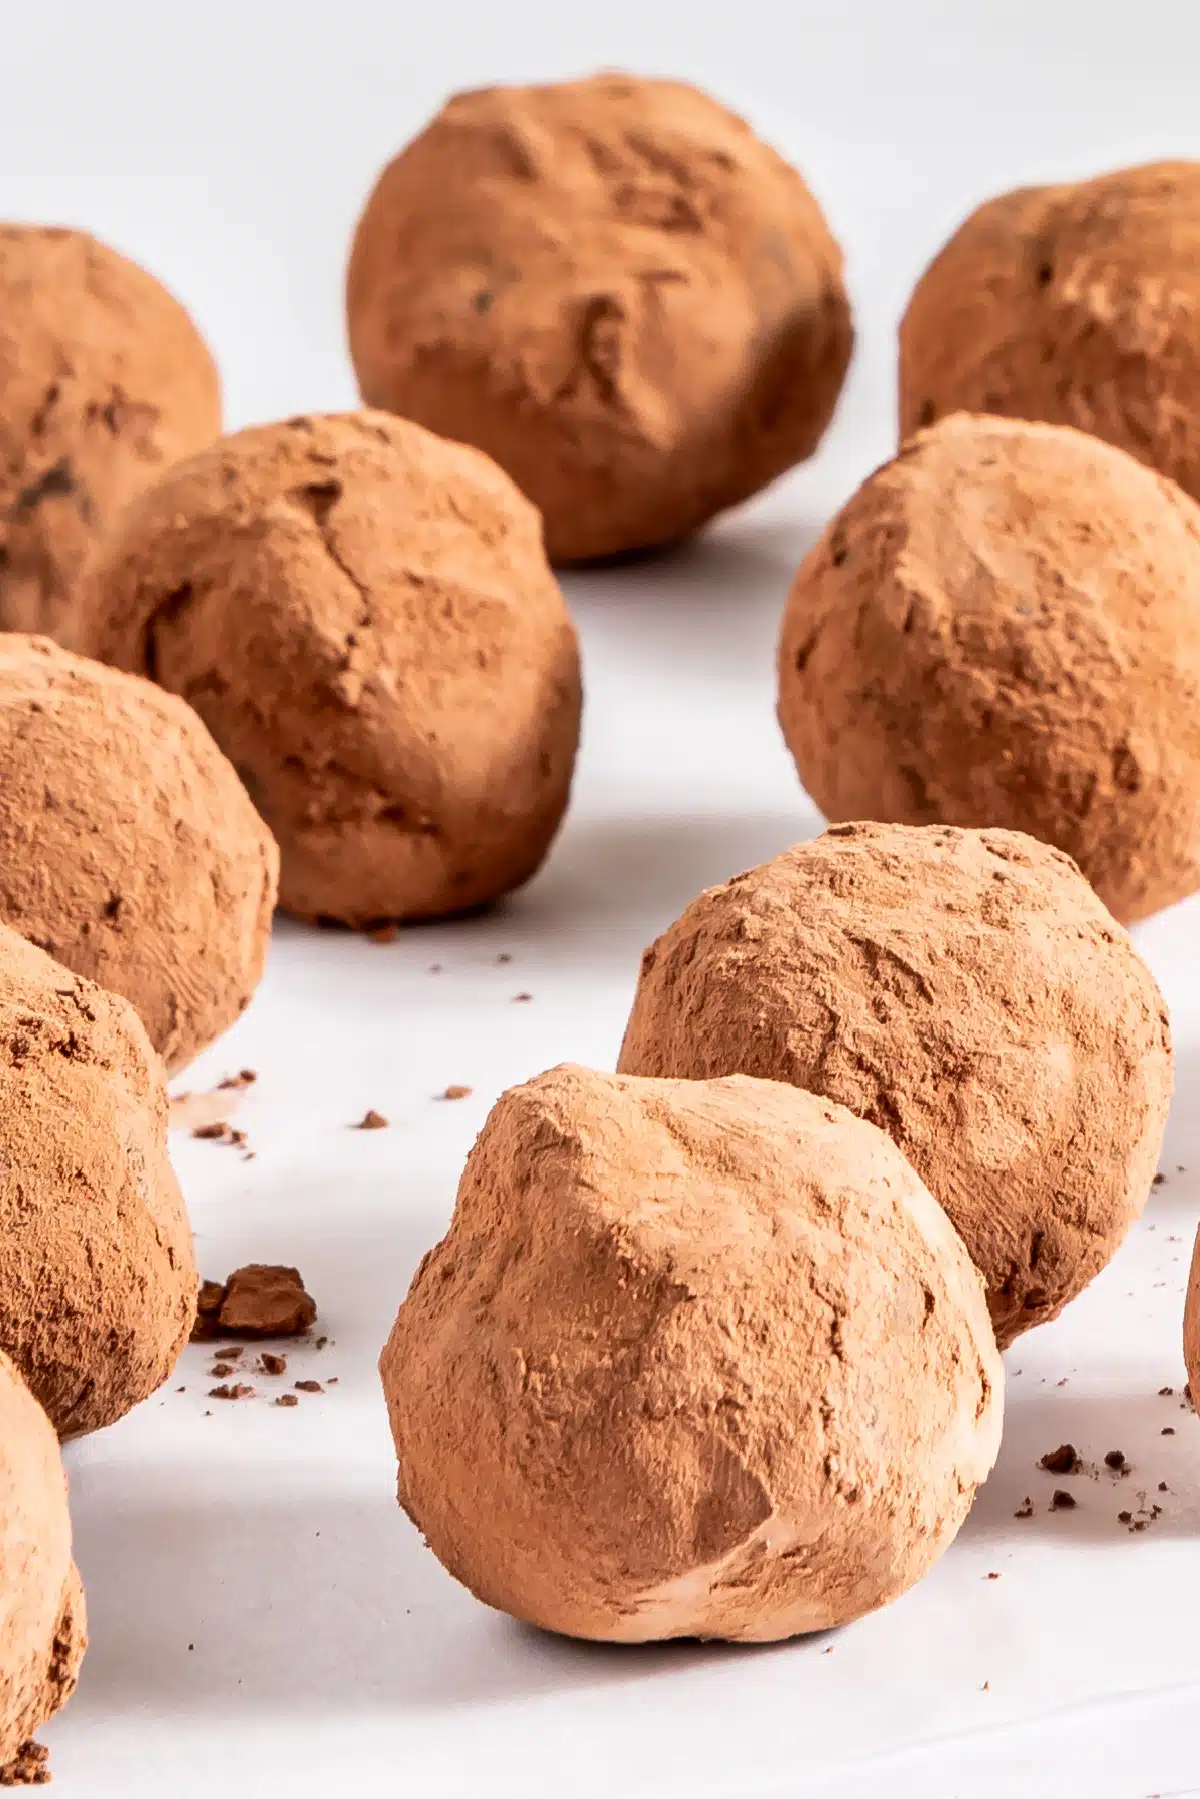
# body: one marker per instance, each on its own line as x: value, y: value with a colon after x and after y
x: 616, y: 291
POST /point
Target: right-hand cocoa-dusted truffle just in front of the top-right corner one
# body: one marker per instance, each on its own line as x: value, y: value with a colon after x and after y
x: 1003, y: 629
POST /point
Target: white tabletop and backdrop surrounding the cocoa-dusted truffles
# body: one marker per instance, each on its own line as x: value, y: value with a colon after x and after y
x: 264, y: 1618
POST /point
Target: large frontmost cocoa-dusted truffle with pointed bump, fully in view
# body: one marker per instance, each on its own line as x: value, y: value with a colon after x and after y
x: 697, y: 1359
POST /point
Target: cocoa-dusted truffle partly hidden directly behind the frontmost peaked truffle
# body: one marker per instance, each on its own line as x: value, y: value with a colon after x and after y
x: 963, y: 990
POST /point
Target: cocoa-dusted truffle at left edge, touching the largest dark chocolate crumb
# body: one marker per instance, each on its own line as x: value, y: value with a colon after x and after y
x: 98, y: 1278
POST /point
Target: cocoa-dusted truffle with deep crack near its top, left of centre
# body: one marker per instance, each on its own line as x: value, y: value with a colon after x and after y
x: 364, y: 618
